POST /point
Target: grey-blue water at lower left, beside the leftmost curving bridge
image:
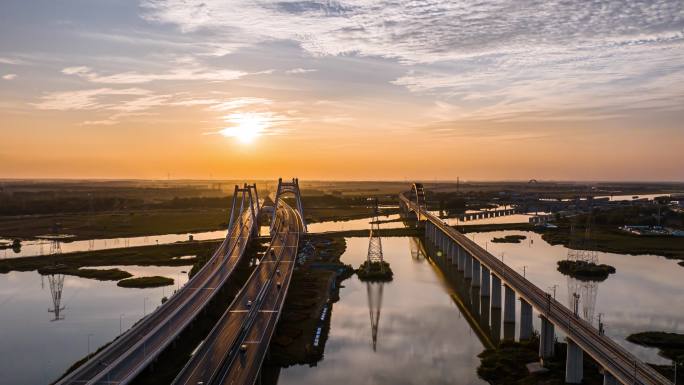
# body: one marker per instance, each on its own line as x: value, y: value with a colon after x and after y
x: 35, y: 350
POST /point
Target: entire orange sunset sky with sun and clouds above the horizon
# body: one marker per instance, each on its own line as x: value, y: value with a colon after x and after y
x: 352, y: 89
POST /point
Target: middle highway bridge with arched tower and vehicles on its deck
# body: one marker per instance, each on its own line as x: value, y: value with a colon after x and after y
x: 234, y: 350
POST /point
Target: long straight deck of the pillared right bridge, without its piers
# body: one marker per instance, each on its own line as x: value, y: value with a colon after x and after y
x: 612, y: 357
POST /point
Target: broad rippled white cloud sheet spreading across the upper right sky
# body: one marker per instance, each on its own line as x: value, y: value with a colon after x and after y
x: 496, y: 60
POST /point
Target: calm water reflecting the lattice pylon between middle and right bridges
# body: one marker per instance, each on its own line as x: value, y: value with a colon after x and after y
x: 422, y: 337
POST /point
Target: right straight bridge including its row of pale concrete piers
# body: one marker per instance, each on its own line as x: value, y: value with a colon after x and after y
x: 484, y: 271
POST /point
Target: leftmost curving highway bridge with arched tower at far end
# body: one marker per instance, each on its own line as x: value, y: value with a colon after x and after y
x: 133, y: 351
